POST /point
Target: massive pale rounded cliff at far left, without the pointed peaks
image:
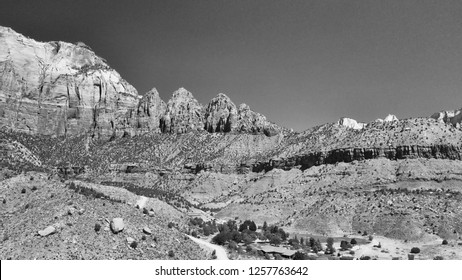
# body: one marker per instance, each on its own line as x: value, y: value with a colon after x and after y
x: 59, y: 88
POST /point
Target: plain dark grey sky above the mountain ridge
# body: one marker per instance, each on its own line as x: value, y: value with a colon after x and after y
x: 300, y: 63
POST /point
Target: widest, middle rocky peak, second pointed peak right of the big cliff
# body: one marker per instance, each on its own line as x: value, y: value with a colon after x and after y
x: 183, y: 113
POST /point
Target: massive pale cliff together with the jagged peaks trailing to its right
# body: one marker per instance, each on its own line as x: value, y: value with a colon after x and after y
x: 64, y: 89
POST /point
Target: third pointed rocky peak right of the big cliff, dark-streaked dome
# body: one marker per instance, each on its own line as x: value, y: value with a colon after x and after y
x: 220, y: 114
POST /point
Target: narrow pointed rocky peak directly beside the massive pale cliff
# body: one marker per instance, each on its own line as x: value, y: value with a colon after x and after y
x: 150, y: 110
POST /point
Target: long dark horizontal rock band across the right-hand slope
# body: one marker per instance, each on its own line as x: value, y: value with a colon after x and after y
x: 348, y: 155
